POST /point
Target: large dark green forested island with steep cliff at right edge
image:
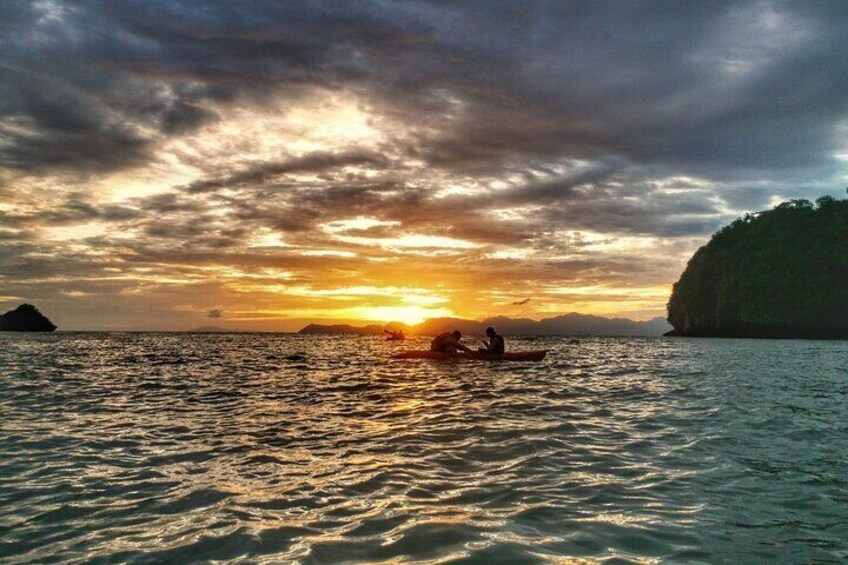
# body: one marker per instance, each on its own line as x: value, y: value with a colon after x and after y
x: 781, y: 273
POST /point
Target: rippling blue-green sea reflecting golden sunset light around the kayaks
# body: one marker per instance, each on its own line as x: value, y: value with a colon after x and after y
x: 279, y: 448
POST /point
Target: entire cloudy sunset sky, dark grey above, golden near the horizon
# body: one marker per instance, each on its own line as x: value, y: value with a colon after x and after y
x: 259, y: 165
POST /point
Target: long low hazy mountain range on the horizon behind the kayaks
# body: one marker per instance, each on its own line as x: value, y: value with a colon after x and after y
x: 567, y: 324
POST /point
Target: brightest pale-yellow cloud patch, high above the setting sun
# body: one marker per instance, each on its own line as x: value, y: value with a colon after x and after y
x: 250, y: 133
